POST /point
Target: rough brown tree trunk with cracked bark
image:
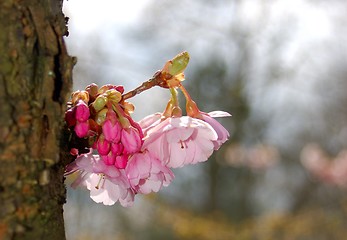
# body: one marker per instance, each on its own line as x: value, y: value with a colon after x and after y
x: 35, y: 81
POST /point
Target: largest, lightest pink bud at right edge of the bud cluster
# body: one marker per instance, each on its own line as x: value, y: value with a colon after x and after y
x: 131, y: 140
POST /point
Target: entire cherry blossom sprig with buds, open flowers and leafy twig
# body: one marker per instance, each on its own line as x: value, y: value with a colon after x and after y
x: 125, y: 157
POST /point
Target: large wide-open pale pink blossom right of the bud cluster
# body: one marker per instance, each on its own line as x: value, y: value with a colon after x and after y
x: 178, y: 141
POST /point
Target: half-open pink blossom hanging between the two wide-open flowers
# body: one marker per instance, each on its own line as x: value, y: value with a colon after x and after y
x: 147, y: 174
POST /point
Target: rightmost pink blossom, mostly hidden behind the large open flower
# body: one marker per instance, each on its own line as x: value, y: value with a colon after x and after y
x: 222, y: 133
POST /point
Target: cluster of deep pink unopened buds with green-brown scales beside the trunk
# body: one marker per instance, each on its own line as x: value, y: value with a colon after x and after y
x: 99, y: 115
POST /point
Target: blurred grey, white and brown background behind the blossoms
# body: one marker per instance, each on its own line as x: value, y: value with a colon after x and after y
x: 279, y: 67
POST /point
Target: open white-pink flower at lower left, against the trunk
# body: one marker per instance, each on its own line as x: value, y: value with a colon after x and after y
x: 107, y: 184
